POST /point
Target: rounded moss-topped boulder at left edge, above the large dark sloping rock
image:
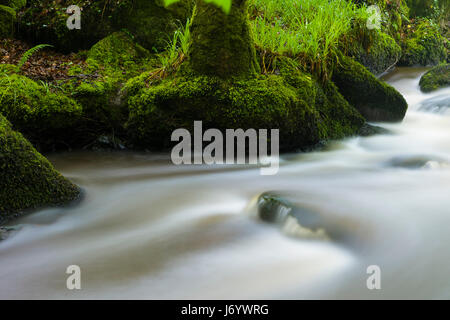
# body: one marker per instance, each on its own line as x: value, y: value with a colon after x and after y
x: 45, y: 117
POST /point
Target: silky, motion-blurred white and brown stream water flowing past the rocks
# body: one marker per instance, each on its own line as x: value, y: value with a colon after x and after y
x: 148, y: 229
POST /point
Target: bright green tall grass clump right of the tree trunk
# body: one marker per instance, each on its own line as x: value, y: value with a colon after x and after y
x: 309, y: 30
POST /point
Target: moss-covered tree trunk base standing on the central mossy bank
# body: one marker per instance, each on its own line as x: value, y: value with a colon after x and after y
x: 221, y: 43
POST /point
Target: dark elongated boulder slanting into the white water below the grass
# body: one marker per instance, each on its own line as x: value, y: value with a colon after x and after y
x: 374, y: 99
